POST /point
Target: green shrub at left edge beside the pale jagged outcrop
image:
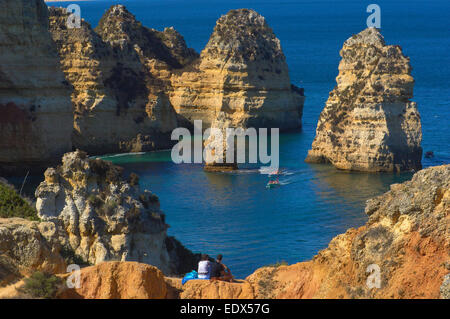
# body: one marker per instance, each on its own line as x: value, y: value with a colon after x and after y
x: 13, y: 205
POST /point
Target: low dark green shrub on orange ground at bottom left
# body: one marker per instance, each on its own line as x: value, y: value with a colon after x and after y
x: 42, y: 285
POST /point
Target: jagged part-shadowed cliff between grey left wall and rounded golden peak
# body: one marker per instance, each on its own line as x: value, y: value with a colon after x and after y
x: 119, y: 98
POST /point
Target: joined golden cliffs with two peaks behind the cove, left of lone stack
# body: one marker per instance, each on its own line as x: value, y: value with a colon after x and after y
x: 133, y: 85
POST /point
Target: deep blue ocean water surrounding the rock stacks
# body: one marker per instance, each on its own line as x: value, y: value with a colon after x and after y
x: 234, y: 214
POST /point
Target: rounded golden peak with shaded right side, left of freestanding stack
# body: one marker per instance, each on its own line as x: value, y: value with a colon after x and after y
x: 242, y: 72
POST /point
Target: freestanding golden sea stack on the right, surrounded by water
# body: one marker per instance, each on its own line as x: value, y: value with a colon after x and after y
x: 369, y: 123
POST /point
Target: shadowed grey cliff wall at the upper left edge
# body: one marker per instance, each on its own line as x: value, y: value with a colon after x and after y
x: 35, y: 107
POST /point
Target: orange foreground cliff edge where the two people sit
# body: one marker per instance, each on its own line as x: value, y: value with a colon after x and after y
x: 406, y: 238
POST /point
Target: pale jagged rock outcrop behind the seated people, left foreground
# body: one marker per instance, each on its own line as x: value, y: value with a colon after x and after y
x: 100, y: 216
